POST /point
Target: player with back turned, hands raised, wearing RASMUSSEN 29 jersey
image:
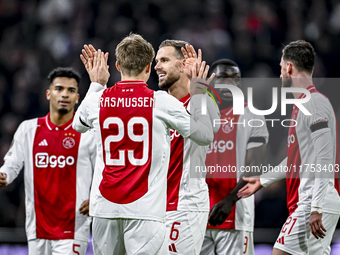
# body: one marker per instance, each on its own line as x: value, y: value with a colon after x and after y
x: 128, y: 196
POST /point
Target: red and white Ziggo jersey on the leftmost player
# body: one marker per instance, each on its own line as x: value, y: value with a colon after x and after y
x: 58, y: 163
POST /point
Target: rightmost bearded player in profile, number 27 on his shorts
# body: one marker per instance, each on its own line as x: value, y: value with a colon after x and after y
x: 312, y: 160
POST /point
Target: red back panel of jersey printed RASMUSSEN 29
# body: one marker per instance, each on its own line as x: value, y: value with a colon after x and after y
x: 125, y: 119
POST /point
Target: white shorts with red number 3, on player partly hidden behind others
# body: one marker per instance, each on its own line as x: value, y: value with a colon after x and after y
x: 228, y: 241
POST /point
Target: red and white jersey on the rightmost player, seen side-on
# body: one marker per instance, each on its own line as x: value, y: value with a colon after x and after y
x: 302, y: 157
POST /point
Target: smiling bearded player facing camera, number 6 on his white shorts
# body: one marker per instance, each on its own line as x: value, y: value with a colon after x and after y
x: 187, y: 195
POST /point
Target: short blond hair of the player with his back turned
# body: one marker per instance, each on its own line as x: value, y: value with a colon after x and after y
x: 133, y: 54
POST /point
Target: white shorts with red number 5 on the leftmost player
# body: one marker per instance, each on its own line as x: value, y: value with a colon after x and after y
x: 56, y: 247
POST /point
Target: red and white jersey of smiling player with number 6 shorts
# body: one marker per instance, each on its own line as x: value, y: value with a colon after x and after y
x: 185, y: 191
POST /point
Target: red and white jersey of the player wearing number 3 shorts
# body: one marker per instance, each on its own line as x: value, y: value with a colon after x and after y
x: 228, y: 151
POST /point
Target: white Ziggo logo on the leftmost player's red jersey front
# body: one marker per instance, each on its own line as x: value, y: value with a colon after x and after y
x: 42, y: 160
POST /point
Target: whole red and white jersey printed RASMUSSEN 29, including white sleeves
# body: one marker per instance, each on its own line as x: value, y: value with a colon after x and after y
x: 132, y: 125
